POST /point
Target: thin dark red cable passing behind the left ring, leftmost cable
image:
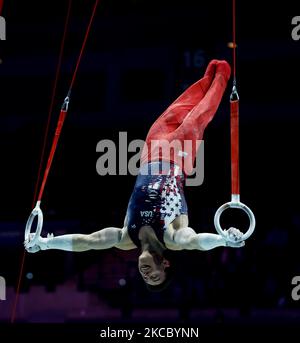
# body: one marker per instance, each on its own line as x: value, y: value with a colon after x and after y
x: 13, y: 316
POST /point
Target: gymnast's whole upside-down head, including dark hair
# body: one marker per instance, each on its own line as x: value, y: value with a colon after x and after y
x: 155, y: 269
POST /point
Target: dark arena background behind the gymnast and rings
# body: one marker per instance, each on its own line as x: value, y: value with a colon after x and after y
x: 140, y: 56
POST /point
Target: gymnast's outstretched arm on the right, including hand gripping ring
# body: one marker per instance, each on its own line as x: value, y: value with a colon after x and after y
x: 187, y: 238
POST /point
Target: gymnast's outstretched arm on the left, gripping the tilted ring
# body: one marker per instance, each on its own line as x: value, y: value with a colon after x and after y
x: 103, y: 239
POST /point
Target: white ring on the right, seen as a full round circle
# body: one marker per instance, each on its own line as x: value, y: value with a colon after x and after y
x: 238, y: 205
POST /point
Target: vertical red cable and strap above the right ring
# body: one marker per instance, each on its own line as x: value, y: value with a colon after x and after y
x: 234, y: 118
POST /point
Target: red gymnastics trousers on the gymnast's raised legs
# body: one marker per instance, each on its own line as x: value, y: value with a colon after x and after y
x: 176, y: 134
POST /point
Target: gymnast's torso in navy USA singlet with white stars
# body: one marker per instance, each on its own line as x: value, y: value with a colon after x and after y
x: 156, y: 201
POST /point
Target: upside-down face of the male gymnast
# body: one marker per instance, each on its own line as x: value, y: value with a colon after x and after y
x: 152, y: 268
